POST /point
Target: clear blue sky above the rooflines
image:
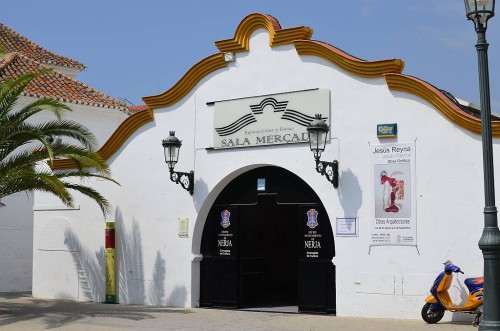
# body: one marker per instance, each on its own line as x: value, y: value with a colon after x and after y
x: 138, y: 48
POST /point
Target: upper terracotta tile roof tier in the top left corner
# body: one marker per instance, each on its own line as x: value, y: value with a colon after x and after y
x: 14, y: 42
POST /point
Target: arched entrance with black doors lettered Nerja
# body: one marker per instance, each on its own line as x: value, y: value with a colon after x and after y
x: 268, y: 242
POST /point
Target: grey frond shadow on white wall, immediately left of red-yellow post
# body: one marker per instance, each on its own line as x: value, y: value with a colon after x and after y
x: 90, y: 268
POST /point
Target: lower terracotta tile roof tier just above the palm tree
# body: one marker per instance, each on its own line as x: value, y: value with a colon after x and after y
x: 54, y: 84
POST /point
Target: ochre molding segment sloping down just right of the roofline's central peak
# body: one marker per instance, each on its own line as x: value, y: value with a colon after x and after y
x: 369, y: 69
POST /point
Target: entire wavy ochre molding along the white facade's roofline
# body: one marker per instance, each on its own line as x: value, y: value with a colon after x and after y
x: 300, y: 37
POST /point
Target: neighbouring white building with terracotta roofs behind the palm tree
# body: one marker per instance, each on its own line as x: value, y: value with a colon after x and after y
x: 101, y: 113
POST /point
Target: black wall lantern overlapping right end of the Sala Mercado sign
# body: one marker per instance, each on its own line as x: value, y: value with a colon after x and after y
x: 318, y: 132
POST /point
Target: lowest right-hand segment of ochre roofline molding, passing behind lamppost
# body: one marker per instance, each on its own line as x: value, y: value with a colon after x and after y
x: 429, y: 93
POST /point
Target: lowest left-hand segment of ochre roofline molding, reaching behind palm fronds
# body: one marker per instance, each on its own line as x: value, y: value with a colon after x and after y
x: 117, y: 139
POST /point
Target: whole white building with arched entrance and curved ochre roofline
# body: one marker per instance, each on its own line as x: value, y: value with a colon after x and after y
x: 263, y: 227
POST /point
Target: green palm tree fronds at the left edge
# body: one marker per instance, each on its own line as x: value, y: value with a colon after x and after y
x: 26, y: 147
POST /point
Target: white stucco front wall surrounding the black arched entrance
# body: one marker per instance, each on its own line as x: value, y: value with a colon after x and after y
x: 157, y: 267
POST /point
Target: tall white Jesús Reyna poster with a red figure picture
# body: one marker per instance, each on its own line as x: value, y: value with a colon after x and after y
x: 394, y: 212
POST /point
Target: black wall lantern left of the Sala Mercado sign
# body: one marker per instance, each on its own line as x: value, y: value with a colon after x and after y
x: 171, y: 147
